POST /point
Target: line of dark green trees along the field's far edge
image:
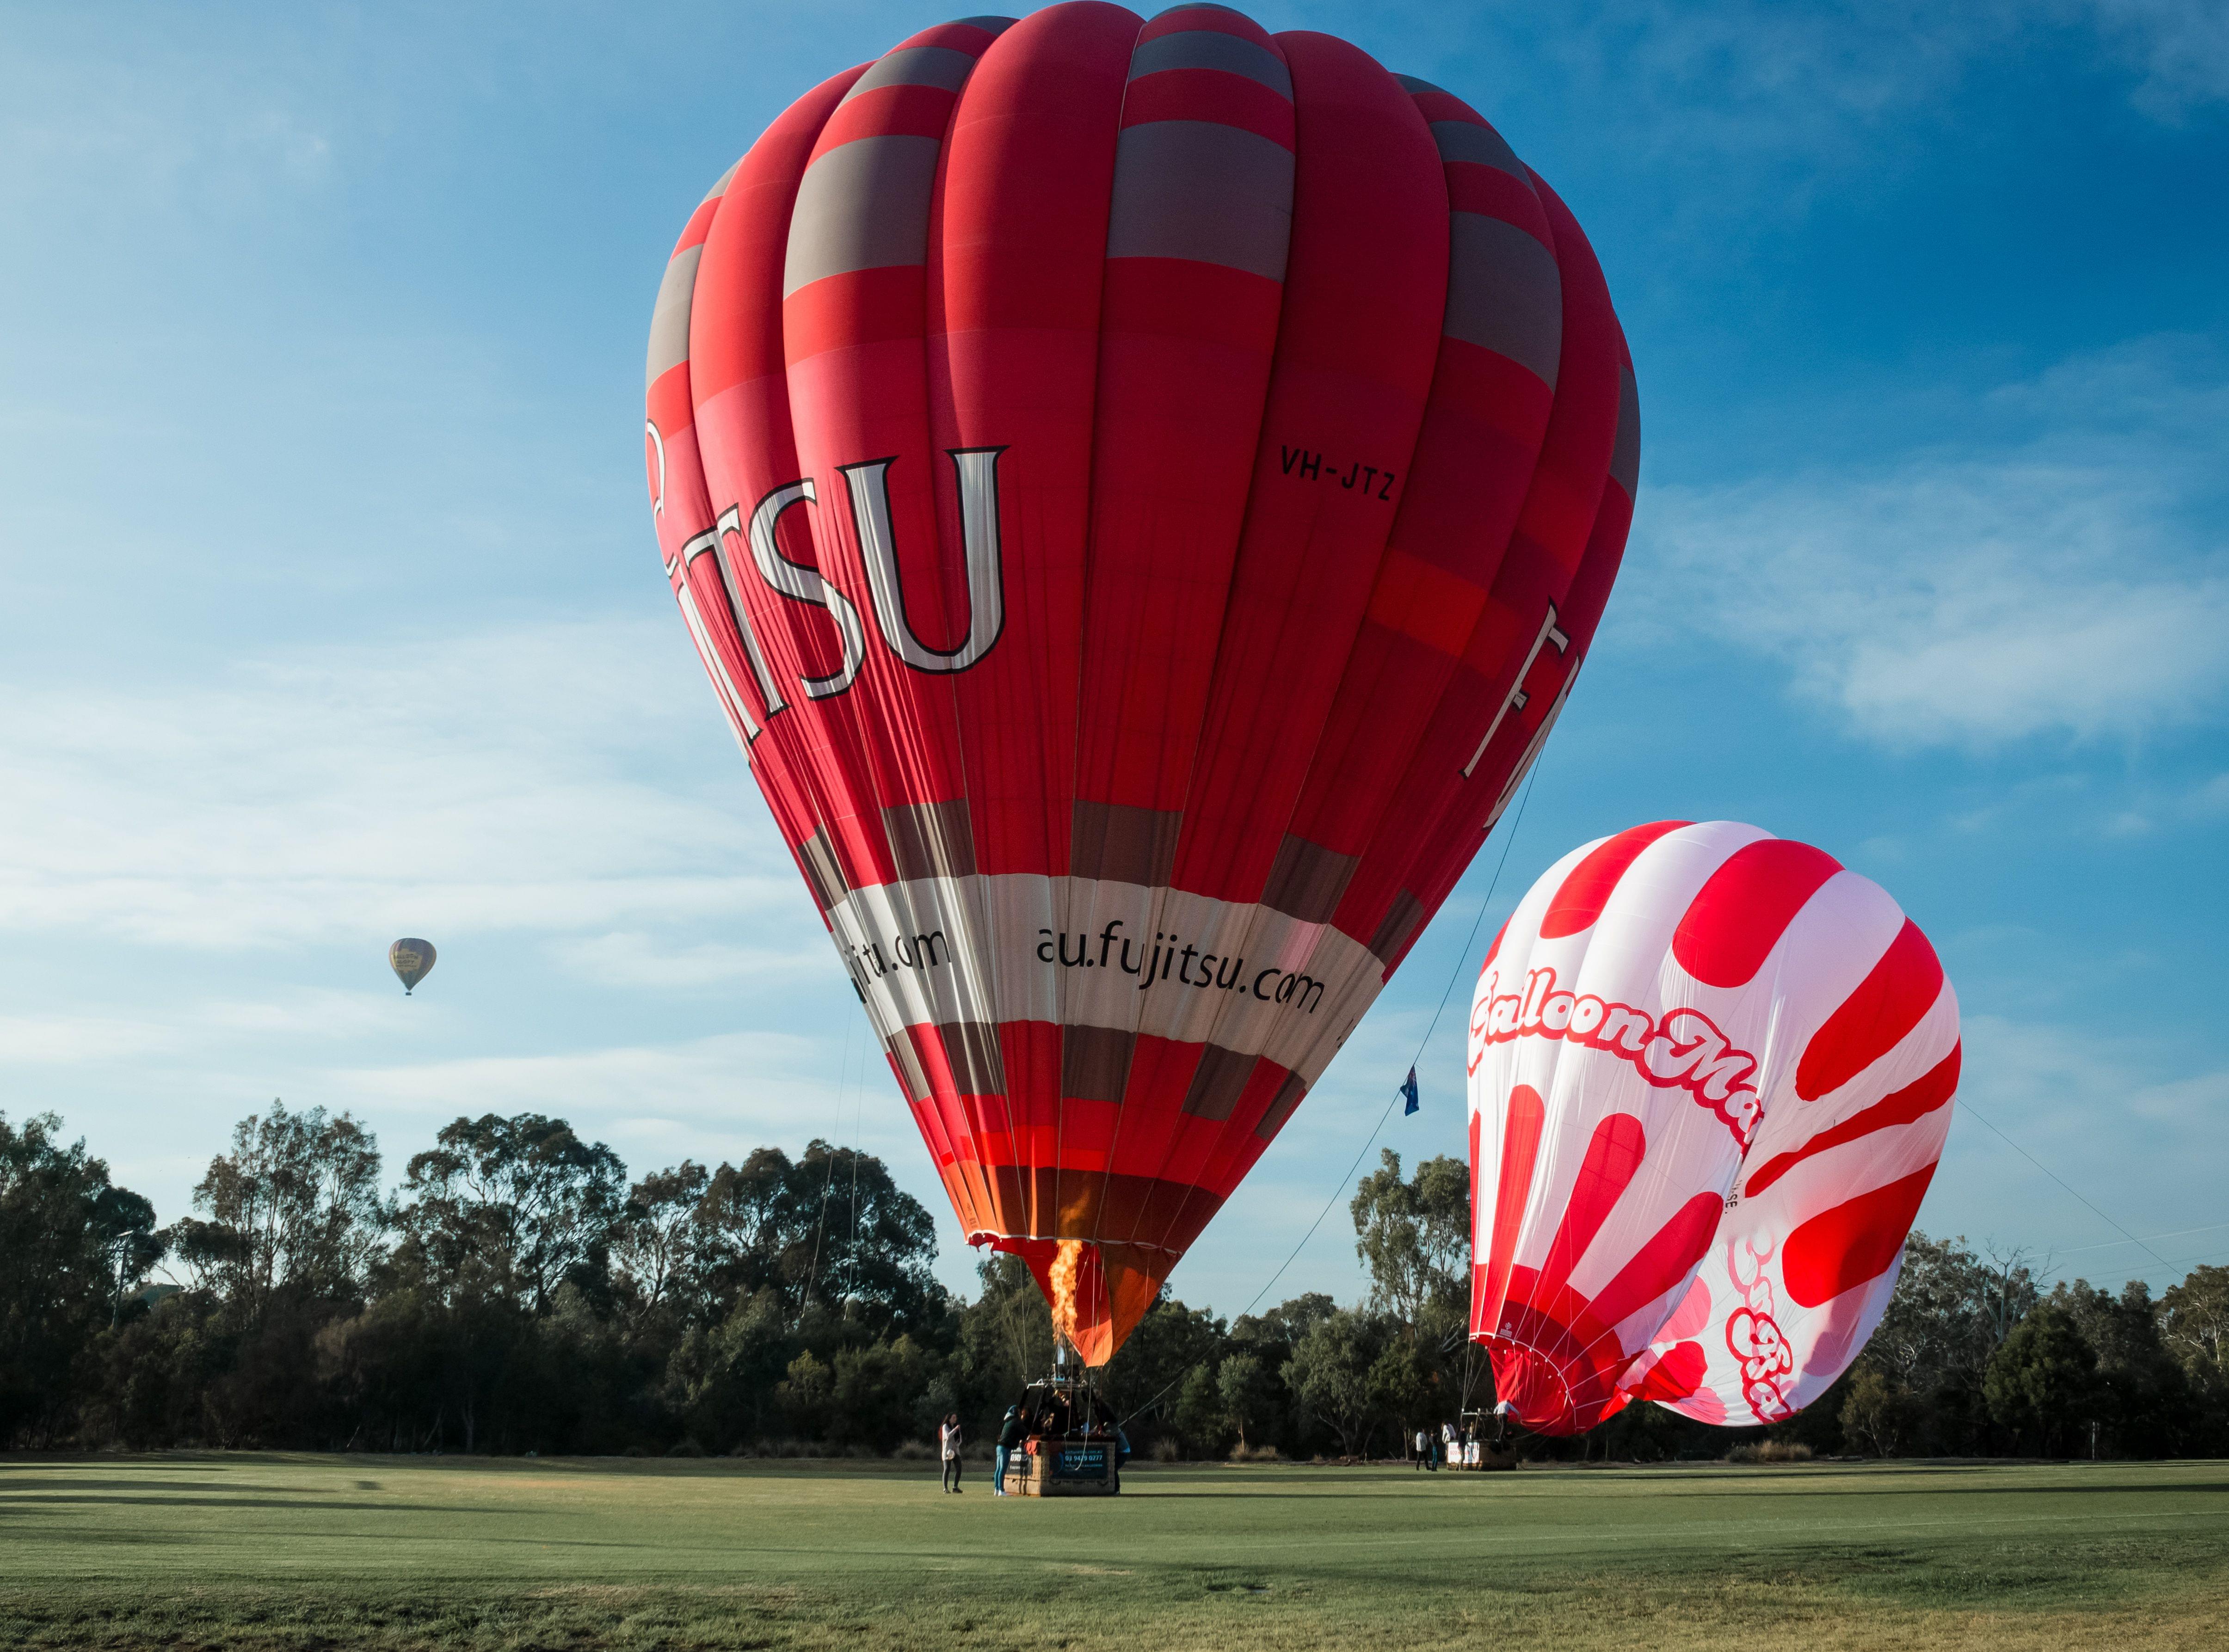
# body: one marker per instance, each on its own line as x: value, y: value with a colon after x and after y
x: 518, y: 1292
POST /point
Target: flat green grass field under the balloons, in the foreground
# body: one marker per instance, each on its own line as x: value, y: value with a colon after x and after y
x: 400, y: 1553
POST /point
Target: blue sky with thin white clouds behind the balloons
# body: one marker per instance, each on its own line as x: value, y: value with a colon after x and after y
x: 331, y: 610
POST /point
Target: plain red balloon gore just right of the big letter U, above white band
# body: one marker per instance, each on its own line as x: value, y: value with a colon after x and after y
x: 1015, y: 278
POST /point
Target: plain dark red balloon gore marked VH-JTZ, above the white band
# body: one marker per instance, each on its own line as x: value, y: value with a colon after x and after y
x: 1356, y: 347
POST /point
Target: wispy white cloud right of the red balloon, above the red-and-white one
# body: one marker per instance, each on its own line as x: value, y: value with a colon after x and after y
x: 2058, y: 581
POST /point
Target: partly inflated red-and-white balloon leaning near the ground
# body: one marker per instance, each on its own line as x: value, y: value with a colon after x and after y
x: 1711, y: 1080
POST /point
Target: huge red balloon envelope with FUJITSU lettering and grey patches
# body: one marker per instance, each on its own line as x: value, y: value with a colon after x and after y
x: 1142, y: 494
